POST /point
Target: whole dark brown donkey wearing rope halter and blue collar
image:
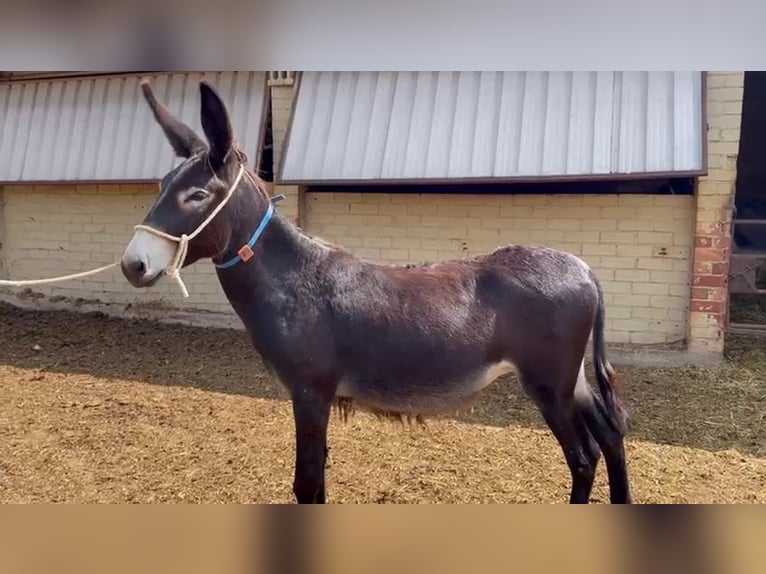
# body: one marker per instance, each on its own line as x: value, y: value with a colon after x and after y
x: 397, y: 340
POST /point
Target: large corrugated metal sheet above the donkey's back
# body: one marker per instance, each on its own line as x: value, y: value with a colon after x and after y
x: 362, y: 126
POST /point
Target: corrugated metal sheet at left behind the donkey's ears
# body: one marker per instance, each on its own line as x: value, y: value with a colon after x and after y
x: 101, y: 129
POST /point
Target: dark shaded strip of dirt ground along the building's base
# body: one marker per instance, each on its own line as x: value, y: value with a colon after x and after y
x: 714, y: 408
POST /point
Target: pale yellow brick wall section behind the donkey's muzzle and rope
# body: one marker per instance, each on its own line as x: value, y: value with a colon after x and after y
x: 57, y: 230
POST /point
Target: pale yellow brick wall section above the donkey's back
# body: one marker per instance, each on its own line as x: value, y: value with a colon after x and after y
x: 639, y: 245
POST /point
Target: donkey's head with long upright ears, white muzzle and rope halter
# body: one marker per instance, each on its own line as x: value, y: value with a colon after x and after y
x: 189, y: 193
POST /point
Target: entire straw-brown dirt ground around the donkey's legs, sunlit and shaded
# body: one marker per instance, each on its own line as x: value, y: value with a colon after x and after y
x: 94, y: 409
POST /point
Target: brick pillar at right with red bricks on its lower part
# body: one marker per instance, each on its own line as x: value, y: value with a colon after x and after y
x: 715, y: 199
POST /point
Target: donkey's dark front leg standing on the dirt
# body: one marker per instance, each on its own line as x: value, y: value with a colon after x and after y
x: 311, y: 410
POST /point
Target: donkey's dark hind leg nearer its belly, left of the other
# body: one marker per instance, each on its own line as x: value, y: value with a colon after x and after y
x: 552, y: 392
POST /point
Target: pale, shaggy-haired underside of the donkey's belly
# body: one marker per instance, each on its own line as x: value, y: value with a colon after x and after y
x: 422, y: 396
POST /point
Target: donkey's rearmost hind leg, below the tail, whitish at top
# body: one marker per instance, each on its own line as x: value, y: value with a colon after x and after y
x: 608, y: 438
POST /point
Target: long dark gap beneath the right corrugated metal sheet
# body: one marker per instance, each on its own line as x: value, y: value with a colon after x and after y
x: 660, y: 186
